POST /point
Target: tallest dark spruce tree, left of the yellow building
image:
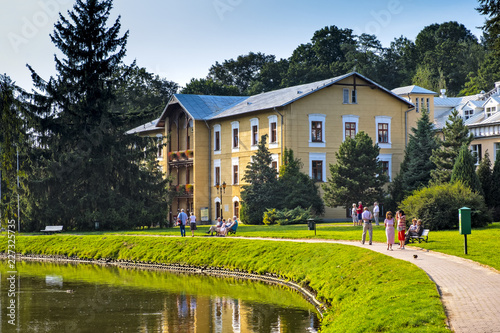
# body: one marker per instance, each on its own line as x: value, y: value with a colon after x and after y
x: 90, y: 170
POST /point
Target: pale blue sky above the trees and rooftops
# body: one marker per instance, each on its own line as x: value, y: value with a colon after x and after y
x: 181, y: 39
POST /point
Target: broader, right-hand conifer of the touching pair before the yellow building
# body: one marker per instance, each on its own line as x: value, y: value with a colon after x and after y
x: 297, y: 188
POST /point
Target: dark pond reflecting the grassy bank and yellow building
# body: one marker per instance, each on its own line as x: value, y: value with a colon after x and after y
x: 54, y: 297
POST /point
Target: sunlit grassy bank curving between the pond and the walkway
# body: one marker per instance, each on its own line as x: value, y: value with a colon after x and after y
x: 364, y: 291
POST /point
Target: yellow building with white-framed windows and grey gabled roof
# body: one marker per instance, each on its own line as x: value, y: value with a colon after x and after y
x: 211, y: 139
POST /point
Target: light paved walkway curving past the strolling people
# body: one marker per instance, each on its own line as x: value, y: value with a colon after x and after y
x: 470, y: 292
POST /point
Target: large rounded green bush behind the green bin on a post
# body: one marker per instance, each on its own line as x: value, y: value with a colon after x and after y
x: 438, y: 206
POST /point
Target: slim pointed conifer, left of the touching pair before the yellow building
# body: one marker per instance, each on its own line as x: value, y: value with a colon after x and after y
x: 262, y: 190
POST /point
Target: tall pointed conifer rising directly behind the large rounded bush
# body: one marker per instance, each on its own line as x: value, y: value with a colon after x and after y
x: 456, y: 134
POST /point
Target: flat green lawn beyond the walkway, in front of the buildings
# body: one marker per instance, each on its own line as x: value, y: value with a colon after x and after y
x: 482, y: 244
